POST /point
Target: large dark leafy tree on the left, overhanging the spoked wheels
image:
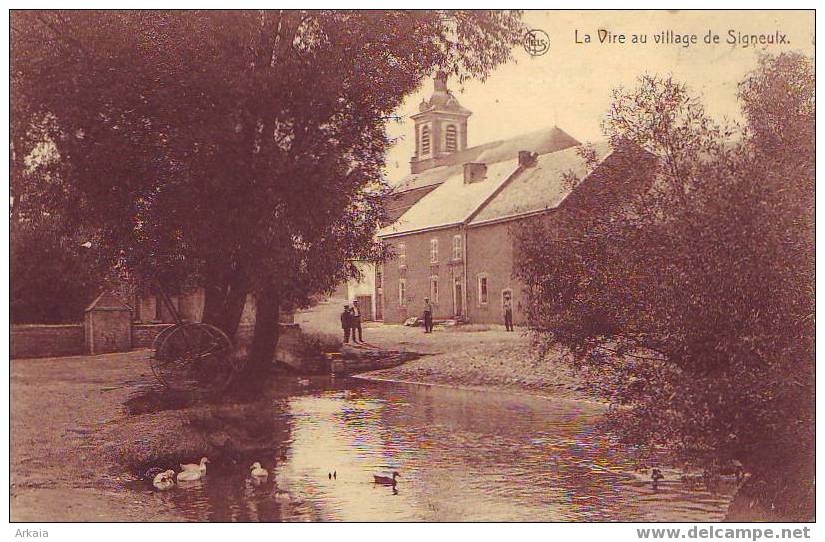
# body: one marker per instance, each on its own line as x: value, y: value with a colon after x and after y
x: 241, y: 151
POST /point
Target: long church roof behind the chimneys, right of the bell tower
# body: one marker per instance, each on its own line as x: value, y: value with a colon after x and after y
x: 542, y: 142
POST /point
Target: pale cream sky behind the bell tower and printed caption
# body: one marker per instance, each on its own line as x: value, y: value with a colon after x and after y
x: 570, y: 85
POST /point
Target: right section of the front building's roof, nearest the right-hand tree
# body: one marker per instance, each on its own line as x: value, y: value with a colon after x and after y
x: 540, y: 187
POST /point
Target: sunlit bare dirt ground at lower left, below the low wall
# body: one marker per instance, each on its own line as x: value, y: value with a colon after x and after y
x: 58, y: 469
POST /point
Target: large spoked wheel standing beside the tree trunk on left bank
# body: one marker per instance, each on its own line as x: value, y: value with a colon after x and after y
x: 194, y: 356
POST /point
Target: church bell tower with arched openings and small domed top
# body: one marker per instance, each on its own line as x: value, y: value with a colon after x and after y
x: 440, y: 127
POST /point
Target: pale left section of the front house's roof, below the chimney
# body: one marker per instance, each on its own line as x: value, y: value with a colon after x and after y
x: 453, y: 202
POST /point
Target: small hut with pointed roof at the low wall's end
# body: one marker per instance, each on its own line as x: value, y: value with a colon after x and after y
x: 108, y: 324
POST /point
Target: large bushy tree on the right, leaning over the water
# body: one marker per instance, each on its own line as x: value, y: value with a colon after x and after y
x: 692, y: 305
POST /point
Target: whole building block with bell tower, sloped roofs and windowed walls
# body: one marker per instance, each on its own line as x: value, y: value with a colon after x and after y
x: 452, y: 217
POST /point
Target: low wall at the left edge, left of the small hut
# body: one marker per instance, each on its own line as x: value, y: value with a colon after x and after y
x: 43, y: 341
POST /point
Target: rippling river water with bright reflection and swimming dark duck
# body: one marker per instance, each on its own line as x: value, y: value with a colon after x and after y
x: 462, y: 456
